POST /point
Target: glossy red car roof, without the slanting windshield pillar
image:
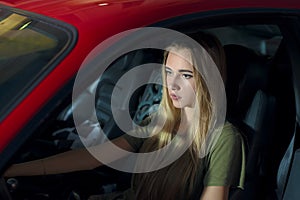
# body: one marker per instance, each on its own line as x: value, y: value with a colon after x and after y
x: 114, y: 16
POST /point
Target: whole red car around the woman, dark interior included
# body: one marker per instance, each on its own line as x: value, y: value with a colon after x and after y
x: 43, y: 44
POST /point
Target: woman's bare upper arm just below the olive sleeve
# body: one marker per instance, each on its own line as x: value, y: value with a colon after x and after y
x: 215, y: 193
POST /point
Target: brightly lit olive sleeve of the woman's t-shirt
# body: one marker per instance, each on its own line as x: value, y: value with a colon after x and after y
x: 226, y: 162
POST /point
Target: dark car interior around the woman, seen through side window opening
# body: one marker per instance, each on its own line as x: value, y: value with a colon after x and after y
x: 260, y: 103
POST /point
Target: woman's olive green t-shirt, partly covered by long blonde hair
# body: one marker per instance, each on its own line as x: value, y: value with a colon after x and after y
x: 224, y: 165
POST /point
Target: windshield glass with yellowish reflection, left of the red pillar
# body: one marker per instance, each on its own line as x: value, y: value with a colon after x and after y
x: 27, y: 47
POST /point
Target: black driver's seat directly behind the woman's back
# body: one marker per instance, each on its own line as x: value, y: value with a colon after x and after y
x: 250, y: 109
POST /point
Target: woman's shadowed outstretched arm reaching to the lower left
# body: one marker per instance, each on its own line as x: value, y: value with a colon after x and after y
x: 70, y: 161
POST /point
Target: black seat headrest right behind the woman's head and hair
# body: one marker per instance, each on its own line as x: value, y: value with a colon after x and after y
x: 246, y: 74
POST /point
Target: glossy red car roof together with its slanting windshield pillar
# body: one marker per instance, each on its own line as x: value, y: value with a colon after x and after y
x: 94, y: 24
